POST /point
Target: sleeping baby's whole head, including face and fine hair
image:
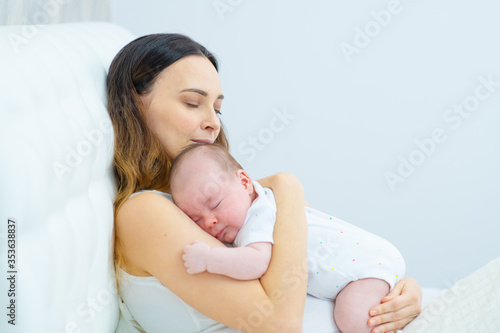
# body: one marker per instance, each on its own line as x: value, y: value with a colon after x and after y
x: 210, y: 186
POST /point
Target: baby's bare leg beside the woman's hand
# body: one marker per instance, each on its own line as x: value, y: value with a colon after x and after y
x: 355, y: 301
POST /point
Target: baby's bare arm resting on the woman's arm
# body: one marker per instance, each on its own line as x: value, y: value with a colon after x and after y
x: 242, y: 263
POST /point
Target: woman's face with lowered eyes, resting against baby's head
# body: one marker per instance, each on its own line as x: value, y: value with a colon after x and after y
x: 184, y: 104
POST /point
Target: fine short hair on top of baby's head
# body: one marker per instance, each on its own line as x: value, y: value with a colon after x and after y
x: 215, y: 152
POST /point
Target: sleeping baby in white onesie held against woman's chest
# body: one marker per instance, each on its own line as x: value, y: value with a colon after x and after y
x: 345, y: 263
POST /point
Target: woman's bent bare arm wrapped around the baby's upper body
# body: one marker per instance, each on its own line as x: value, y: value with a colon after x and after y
x: 153, y: 233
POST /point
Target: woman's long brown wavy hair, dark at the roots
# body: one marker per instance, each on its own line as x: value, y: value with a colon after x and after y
x: 140, y: 161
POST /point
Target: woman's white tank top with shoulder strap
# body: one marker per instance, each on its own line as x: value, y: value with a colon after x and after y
x: 146, y: 305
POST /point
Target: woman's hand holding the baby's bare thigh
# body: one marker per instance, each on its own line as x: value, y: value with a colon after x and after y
x: 398, y: 308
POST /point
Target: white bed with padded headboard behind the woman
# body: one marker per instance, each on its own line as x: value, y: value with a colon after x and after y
x: 57, y: 192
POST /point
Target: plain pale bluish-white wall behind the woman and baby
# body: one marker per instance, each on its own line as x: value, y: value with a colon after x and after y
x: 355, y: 114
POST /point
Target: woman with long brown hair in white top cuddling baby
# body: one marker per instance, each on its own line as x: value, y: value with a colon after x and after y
x: 163, y: 94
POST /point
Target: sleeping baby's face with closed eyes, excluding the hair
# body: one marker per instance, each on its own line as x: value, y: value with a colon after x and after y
x: 215, y: 200
